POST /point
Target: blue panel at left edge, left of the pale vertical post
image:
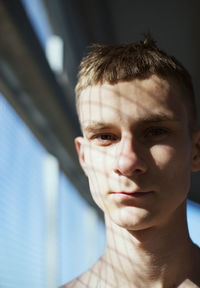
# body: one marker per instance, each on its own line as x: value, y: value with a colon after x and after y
x: 22, y: 222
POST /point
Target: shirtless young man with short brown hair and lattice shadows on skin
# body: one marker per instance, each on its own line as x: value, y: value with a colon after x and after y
x: 140, y: 143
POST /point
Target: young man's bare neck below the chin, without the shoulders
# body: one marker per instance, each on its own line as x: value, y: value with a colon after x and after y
x: 154, y: 256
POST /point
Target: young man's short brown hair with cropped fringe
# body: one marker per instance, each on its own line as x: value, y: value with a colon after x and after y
x: 134, y: 61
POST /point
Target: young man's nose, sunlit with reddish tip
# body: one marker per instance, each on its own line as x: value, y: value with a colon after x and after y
x: 129, y: 159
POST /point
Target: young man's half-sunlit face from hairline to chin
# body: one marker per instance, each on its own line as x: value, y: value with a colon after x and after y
x: 136, y: 150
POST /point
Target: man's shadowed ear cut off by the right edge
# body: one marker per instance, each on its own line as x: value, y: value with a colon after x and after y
x: 196, y: 150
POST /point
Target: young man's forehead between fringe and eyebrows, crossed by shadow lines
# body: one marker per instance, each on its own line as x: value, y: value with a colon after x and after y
x: 131, y: 101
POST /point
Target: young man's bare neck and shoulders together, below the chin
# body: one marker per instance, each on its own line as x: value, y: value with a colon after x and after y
x: 132, y: 262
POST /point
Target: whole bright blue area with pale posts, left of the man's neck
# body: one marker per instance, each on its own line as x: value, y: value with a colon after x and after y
x: 33, y: 221
